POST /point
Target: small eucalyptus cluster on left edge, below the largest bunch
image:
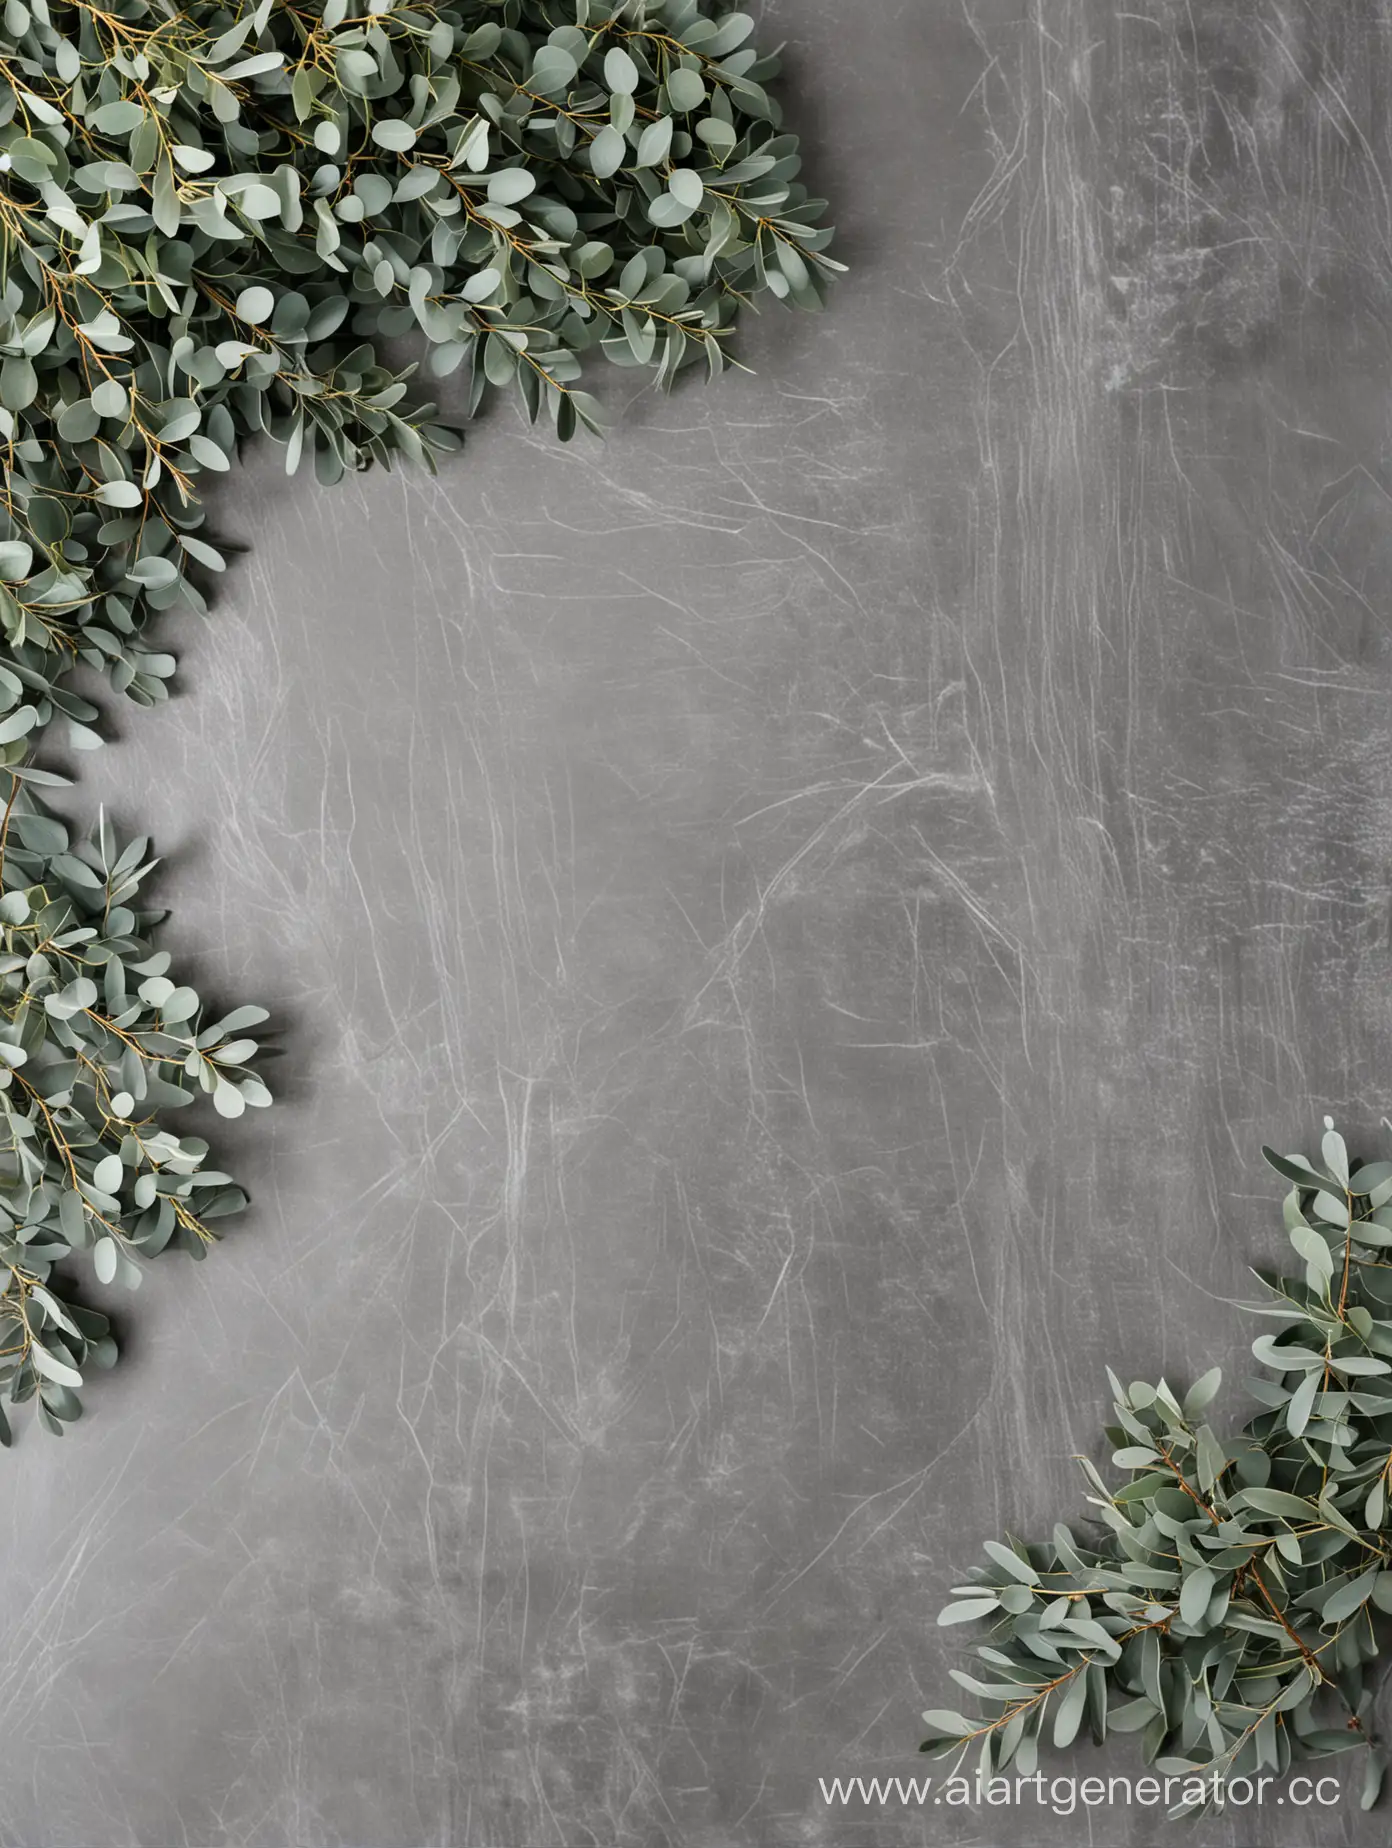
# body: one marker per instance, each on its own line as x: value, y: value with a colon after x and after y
x: 97, y: 1047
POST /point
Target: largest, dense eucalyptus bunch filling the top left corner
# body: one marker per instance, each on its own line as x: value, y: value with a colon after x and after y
x: 215, y: 217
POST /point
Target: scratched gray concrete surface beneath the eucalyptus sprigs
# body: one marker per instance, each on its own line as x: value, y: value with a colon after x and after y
x: 790, y: 932
